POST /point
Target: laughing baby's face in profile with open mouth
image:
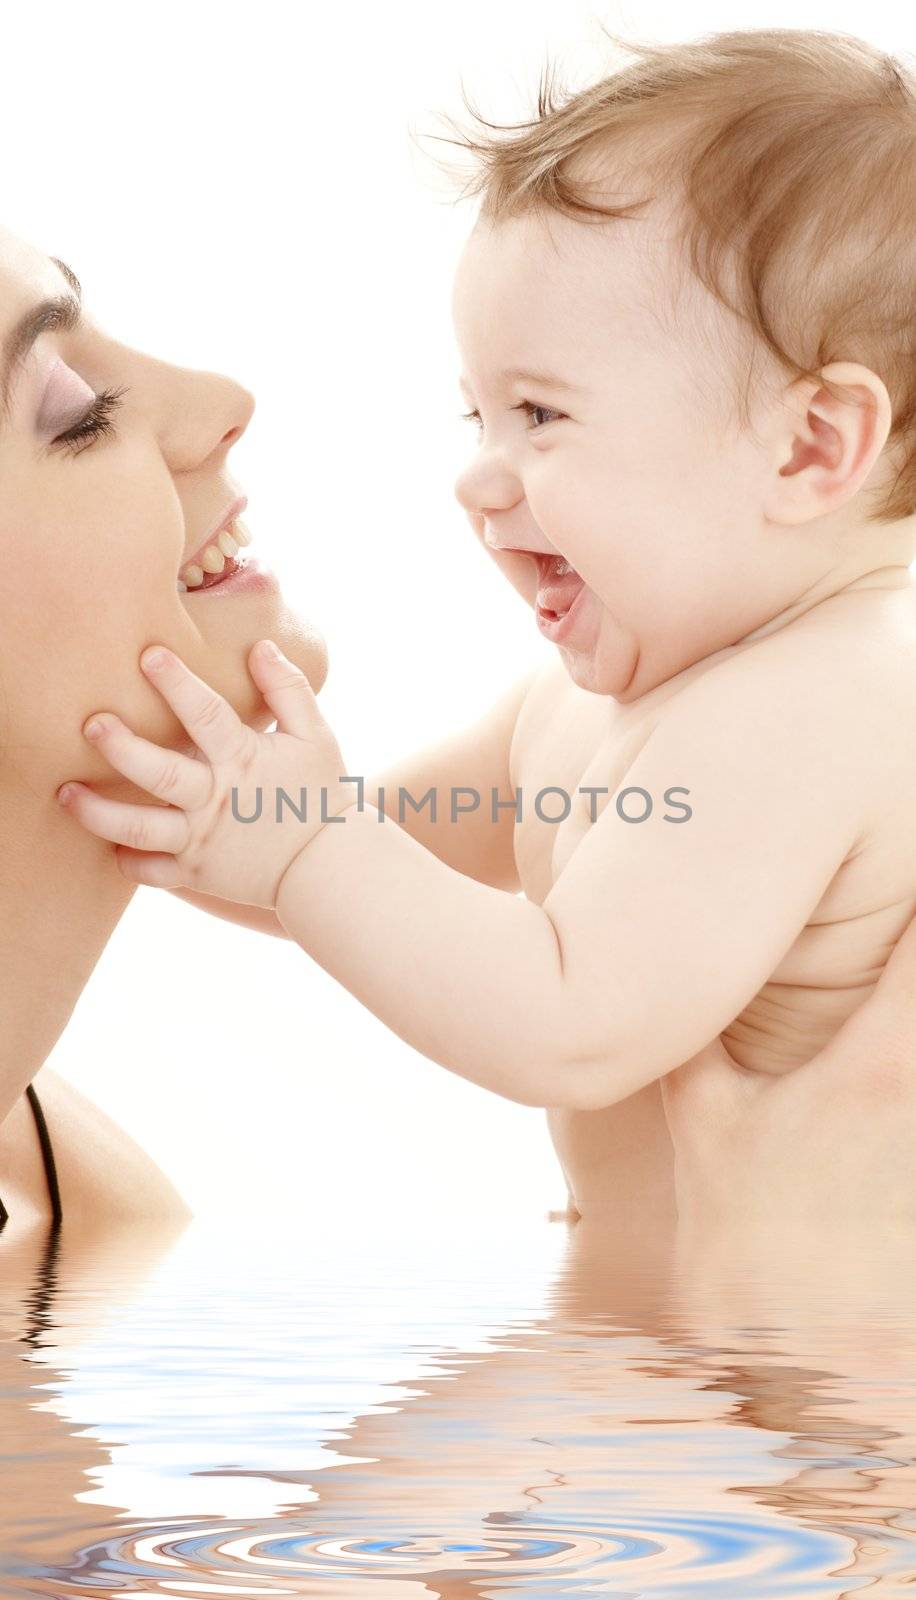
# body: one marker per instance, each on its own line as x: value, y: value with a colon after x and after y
x: 627, y: 474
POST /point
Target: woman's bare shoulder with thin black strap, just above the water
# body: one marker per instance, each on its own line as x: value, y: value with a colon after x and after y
x: 103, y: 1174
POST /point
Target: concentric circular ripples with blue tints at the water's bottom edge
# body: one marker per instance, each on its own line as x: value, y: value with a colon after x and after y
x: 715, y: 1556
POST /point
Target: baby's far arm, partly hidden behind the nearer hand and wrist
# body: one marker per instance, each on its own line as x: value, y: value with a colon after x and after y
x: 475, y: 758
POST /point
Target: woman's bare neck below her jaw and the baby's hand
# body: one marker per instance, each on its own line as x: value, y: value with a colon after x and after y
x: 62, y: 897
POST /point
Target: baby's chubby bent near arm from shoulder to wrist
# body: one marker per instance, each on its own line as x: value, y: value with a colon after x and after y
x: 656, y: 935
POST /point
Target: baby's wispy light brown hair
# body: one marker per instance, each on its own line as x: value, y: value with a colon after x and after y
x: 793, y: 159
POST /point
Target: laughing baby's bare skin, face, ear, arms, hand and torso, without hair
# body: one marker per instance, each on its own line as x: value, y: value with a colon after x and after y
x: 744, y: 634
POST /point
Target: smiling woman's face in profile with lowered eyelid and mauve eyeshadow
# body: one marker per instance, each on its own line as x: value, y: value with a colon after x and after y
x: 95, y: 530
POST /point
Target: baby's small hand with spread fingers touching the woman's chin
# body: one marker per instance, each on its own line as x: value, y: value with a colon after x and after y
x: 199, y: 839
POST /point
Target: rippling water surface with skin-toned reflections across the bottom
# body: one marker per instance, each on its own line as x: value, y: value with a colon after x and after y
x: 548, y: 1412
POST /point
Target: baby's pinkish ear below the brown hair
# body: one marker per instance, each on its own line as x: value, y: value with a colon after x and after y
x: 826, y: 439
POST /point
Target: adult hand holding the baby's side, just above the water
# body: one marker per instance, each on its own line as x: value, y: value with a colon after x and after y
x: 819, y: 1154
